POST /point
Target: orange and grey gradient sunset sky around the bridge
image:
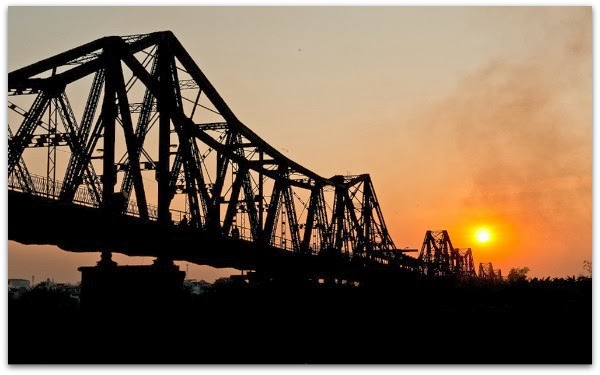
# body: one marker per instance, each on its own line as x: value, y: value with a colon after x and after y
x: 463, y: 116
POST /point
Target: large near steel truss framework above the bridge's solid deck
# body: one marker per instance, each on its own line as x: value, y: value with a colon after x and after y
x: 154, y: 133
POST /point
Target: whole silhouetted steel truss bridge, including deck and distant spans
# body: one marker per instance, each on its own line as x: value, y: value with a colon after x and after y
x: 123, y: 145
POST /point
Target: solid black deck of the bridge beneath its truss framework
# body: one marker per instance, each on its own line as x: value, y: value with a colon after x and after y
x: 78, y: 228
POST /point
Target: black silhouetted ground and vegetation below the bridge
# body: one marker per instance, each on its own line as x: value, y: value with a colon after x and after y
x: 529, y: 323
